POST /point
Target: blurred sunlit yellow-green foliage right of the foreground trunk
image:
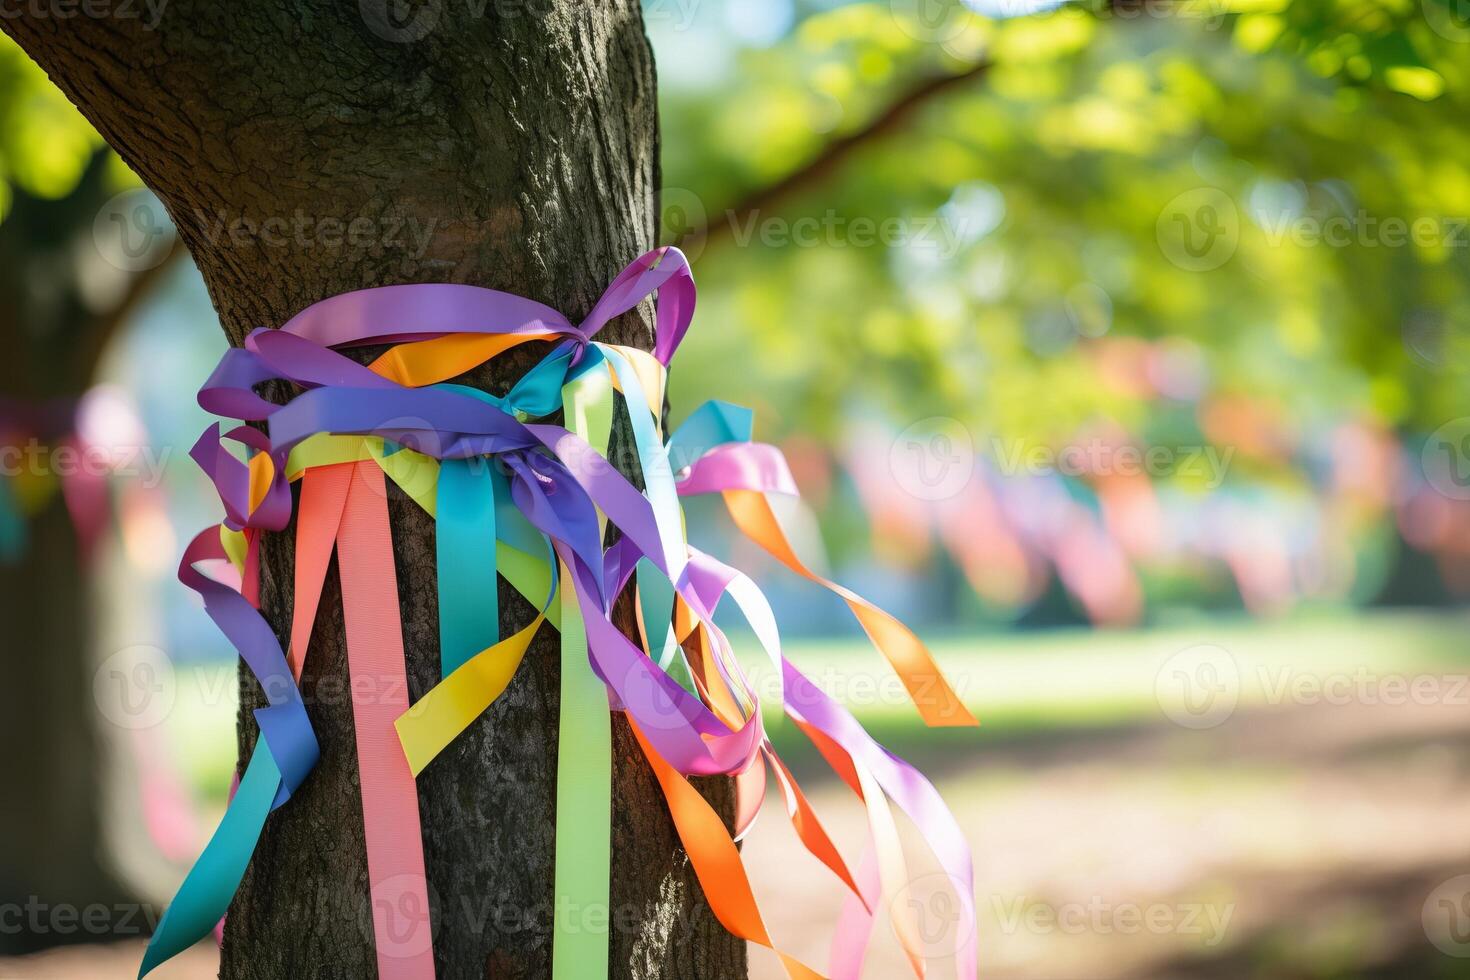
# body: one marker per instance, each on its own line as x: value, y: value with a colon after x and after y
x: 1033, y: 203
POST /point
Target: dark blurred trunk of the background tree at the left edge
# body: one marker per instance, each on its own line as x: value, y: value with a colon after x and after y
x: 51, y: 819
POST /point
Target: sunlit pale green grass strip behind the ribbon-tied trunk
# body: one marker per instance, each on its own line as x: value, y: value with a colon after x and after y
x: 1019, y: 685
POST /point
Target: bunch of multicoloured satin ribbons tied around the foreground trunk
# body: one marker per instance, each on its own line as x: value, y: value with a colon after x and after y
x: 531, y: 502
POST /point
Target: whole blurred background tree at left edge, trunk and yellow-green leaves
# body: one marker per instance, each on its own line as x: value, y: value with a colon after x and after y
x: 61, y: 303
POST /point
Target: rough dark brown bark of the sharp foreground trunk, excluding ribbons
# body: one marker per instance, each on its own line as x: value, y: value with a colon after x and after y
x: 311, y: 149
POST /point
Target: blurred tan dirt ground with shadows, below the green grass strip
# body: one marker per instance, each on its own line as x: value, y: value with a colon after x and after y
x: 1286, y: 844
